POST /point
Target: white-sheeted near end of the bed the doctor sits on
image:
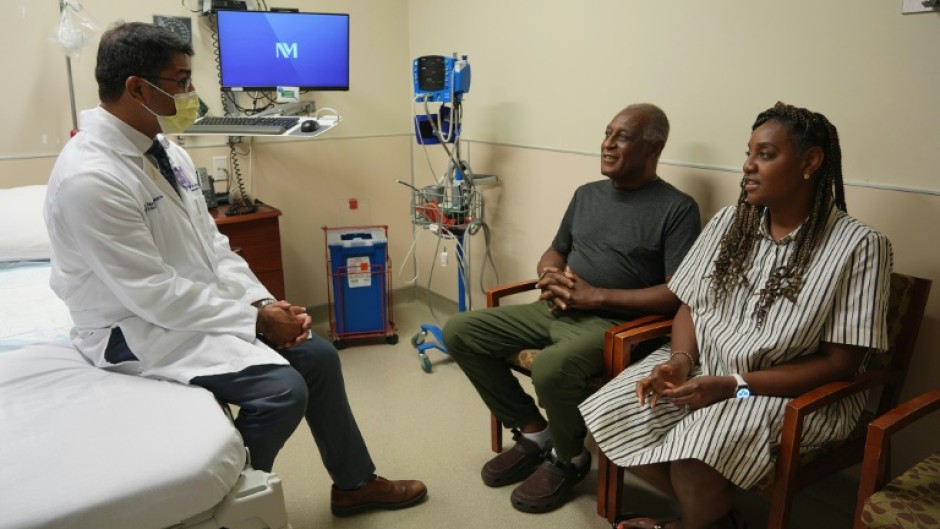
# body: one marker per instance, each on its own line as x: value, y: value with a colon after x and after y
x: 87, y: 448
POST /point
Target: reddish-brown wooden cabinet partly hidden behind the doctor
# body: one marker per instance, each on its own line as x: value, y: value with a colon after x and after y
x: 257, y: 238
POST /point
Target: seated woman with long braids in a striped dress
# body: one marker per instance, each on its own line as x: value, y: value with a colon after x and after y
x: 781, y: 293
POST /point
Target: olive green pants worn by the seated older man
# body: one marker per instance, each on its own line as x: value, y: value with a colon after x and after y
x: 571, y: 343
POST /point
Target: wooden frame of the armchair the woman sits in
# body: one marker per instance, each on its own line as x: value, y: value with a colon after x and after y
x: 794, y: 471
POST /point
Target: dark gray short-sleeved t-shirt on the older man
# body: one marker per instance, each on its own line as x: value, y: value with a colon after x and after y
x: 623, y: 239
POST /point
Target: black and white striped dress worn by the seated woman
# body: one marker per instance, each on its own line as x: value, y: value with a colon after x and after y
x: 843, y: 300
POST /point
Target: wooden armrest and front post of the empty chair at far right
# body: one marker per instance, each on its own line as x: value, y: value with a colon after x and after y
x: 874, y: 473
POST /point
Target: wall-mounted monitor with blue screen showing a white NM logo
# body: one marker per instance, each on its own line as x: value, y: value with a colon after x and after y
x: 262, y: 50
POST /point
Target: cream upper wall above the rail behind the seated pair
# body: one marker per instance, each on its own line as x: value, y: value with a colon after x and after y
x: 550, y: 73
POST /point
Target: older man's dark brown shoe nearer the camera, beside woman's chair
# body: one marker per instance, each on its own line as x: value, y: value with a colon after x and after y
x: 549, y: 486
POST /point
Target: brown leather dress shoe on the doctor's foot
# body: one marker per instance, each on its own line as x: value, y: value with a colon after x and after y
x: 379, y: 493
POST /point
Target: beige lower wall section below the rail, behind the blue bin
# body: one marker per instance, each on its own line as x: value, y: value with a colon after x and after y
x: 312, y: 183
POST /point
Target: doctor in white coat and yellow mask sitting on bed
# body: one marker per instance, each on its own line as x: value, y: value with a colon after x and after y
x: 155, y: 290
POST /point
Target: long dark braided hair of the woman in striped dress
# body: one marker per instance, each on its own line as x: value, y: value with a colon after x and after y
x: 806, y: 129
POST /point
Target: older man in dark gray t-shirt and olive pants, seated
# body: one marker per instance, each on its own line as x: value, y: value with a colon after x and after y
x: 619, y: 242
